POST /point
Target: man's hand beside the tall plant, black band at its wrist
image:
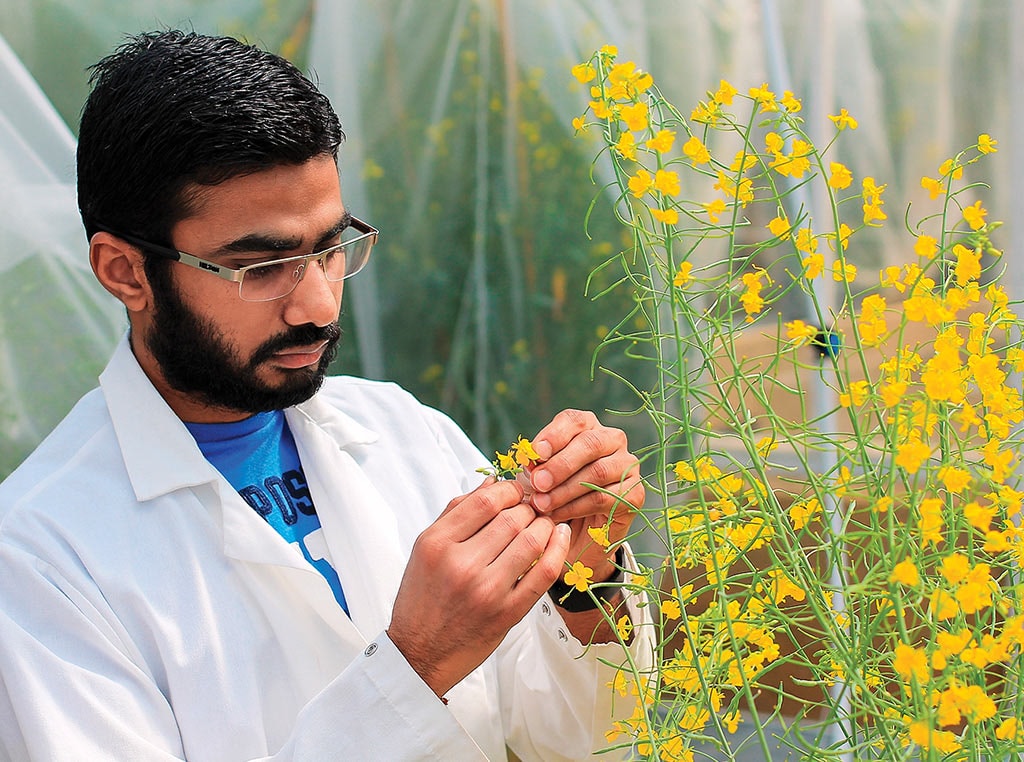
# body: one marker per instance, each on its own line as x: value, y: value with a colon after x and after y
x: 577, y: 450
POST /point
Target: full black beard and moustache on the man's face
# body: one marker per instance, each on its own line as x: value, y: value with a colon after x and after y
x: 196, y: 361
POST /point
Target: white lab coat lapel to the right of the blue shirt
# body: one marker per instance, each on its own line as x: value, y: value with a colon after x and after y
x: 361, y: 529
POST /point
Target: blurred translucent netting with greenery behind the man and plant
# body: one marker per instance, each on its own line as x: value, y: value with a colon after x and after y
x: 460, y: 148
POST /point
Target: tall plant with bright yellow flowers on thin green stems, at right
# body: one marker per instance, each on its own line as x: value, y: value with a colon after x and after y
x: 851, y: 568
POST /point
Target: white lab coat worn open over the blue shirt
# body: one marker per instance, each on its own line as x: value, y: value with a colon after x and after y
x: 148, y: 613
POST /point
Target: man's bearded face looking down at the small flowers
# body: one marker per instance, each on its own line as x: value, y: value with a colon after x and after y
x: 217, y: 358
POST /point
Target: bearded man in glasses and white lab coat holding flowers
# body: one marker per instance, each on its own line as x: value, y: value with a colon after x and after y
x: 214, y: 558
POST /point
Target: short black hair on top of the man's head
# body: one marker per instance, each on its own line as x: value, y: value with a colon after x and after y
x: 172, y: 110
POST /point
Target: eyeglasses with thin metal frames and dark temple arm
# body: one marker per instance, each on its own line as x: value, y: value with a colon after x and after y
x: 274, y: 280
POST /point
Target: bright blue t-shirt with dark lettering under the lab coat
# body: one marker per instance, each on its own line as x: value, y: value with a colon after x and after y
x: 259, y: 458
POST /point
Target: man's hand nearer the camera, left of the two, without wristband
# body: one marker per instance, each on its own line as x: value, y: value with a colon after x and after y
x: 473, y: 575
